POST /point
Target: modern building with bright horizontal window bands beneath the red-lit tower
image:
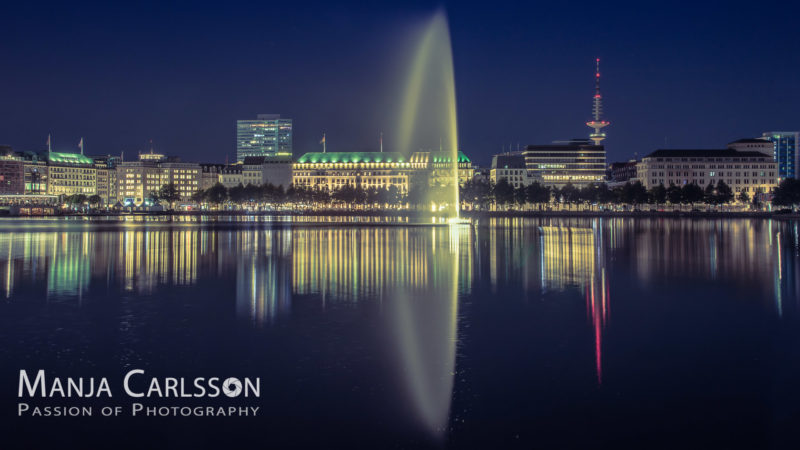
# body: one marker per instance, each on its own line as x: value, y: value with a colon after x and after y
x: 578, y: 161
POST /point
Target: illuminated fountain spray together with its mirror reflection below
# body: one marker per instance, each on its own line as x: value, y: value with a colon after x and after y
x: 424, y: 314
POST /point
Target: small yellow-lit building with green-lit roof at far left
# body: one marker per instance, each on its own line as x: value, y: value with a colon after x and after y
x: 71, y: 174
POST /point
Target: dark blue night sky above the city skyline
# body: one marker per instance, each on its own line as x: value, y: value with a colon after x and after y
x: 691, y: 74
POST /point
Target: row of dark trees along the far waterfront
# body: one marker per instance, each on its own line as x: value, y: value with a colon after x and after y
x: 475, y: 195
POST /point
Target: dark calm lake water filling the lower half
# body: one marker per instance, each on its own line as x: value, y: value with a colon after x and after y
x: 517, y: 333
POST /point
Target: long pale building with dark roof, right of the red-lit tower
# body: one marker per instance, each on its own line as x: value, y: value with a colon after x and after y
x: 749, y: 171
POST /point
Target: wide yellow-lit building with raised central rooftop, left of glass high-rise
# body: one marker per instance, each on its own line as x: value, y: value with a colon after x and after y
x: 139, y: 180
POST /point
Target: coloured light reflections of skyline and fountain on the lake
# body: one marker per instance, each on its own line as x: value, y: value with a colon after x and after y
x: 417, y: 274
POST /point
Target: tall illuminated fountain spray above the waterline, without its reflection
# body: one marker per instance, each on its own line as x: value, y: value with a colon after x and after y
x: 429, y: 105
